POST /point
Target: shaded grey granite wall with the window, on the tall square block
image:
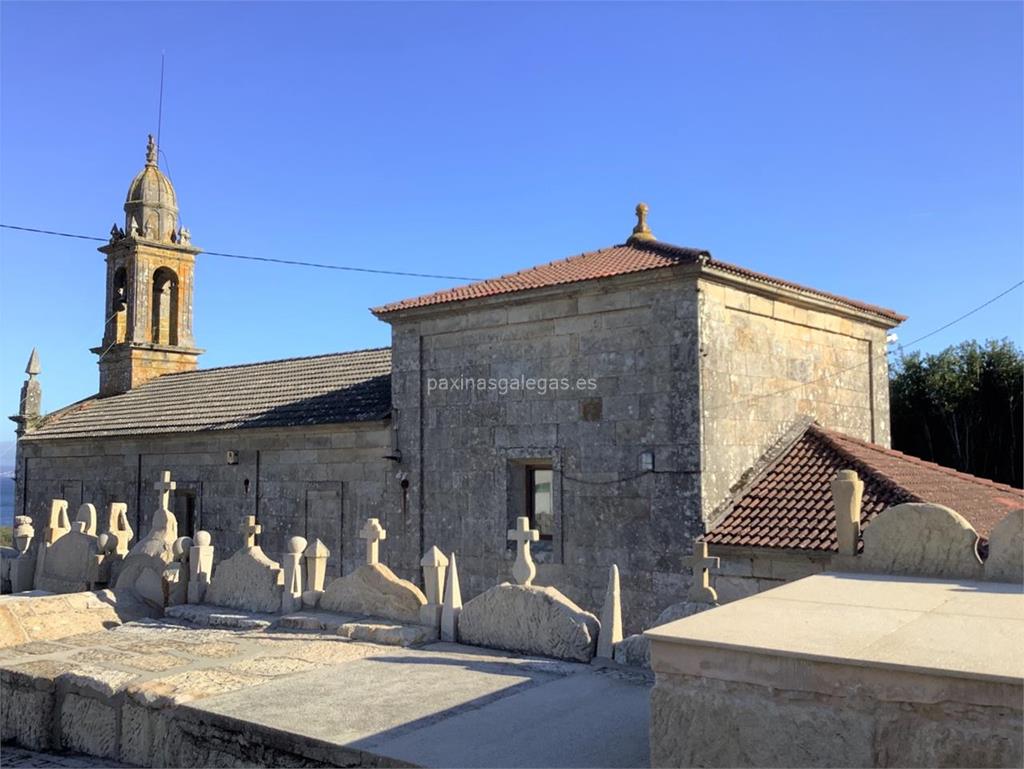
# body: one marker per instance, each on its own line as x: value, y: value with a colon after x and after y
x: 636, y: 339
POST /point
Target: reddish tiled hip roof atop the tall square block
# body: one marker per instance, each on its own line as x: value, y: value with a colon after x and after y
x: 635, y: 257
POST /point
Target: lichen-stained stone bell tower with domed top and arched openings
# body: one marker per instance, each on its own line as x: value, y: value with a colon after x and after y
x: 151, y: 263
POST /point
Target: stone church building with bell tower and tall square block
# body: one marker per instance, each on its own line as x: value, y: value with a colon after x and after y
x: 625, y: 400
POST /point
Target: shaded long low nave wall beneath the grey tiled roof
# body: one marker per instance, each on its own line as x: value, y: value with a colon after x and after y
x: 317, y: 483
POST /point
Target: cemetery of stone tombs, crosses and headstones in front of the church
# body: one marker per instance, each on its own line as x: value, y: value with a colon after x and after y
x: 158, y: 654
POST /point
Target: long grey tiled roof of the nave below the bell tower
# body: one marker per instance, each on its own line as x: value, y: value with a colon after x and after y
x: 318, y: 391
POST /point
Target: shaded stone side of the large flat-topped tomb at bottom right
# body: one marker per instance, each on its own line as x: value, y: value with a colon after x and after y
x: 699, y: 721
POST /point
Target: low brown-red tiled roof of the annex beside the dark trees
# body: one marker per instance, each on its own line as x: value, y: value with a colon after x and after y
x: 789, y: 505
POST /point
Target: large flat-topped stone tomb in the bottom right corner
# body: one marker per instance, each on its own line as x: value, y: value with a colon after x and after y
x: 844, y: 671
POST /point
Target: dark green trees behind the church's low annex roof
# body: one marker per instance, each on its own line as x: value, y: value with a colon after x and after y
x: 962, y: 408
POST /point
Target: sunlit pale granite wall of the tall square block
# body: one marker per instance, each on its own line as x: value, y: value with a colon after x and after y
x: 758, y: 351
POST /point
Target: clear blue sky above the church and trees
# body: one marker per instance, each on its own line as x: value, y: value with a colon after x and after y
x: 867, y: 149
